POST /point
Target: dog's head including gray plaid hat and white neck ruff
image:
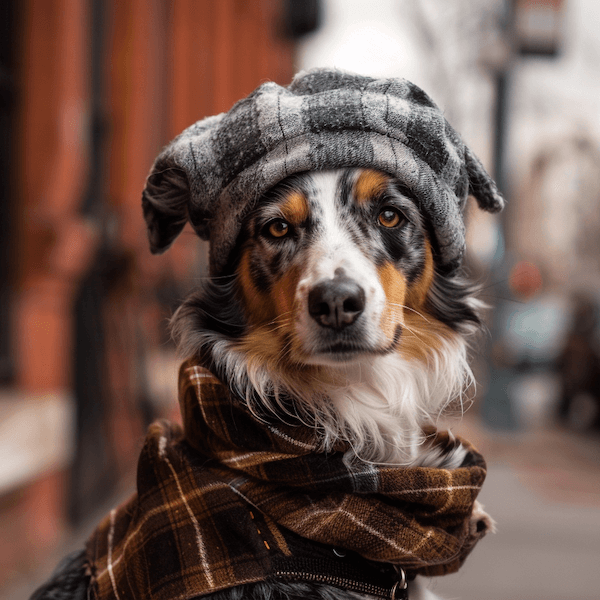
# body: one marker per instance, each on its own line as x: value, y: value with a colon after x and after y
x: 334, y: 214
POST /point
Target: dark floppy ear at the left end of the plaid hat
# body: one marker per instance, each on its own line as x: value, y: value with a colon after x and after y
x: 165, y: 202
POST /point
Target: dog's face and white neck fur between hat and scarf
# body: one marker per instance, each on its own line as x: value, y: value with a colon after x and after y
x: 332, y: 298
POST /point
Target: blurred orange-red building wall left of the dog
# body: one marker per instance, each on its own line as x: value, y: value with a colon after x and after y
x: 166, y: 65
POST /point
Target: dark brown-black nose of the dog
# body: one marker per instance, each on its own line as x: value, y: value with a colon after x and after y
x: 336, y: 302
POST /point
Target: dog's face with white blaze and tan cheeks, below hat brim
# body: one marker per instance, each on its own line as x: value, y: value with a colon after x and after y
x: 334, y: 266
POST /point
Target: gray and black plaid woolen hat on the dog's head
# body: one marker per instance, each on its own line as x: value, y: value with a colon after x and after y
x: 216, y: 171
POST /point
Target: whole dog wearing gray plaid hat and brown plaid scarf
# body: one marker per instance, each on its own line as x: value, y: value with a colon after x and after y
x: 331, y: 335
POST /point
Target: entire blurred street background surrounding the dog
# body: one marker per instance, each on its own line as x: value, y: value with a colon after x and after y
x: 90, y: 90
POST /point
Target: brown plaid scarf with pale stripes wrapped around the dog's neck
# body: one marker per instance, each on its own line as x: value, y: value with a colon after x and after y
x: 232, y: 500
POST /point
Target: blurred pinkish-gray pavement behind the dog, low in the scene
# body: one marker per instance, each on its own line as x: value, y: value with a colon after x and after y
x: 543, y: 490
